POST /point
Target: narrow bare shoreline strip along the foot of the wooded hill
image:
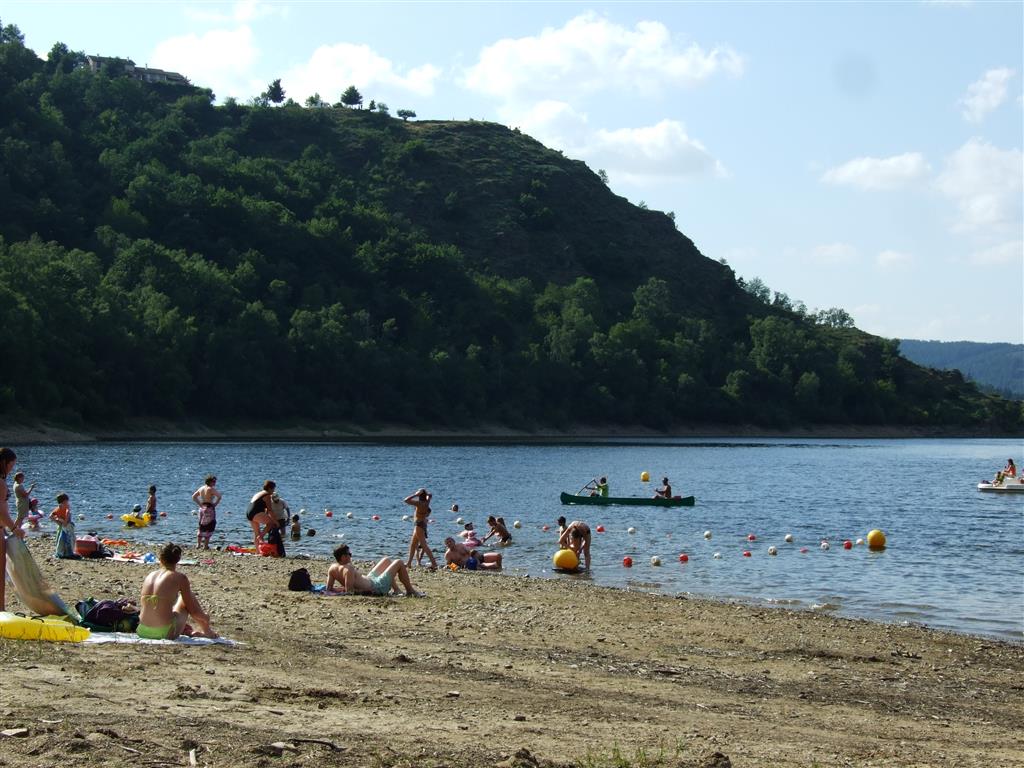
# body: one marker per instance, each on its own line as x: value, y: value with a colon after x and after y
x: 156, y: 432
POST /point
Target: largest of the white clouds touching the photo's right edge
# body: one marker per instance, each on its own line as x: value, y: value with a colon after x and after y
x: 986, y: 184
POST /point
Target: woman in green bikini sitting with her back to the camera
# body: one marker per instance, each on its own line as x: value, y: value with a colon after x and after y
x: 168, y: 603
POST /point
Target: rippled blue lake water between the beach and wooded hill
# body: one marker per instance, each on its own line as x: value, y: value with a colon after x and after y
x: 955, y: 560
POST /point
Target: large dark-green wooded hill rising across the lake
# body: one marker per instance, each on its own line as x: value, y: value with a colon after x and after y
x: 165, y: 258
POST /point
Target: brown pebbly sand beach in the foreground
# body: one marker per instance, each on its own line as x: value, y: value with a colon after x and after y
x: 493, y: 670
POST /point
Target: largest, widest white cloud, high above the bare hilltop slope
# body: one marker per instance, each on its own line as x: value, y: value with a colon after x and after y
x: 591, y: 54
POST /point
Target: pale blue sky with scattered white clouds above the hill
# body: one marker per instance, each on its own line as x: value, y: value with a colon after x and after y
x: 864, y: 156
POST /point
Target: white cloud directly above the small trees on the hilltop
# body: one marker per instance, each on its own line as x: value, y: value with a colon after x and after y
x: 331, y: 69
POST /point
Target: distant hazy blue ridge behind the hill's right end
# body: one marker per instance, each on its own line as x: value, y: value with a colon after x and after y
x: 998, y: 367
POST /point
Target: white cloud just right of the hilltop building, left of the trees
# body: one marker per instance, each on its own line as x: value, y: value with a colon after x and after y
x: 222, y: 60
